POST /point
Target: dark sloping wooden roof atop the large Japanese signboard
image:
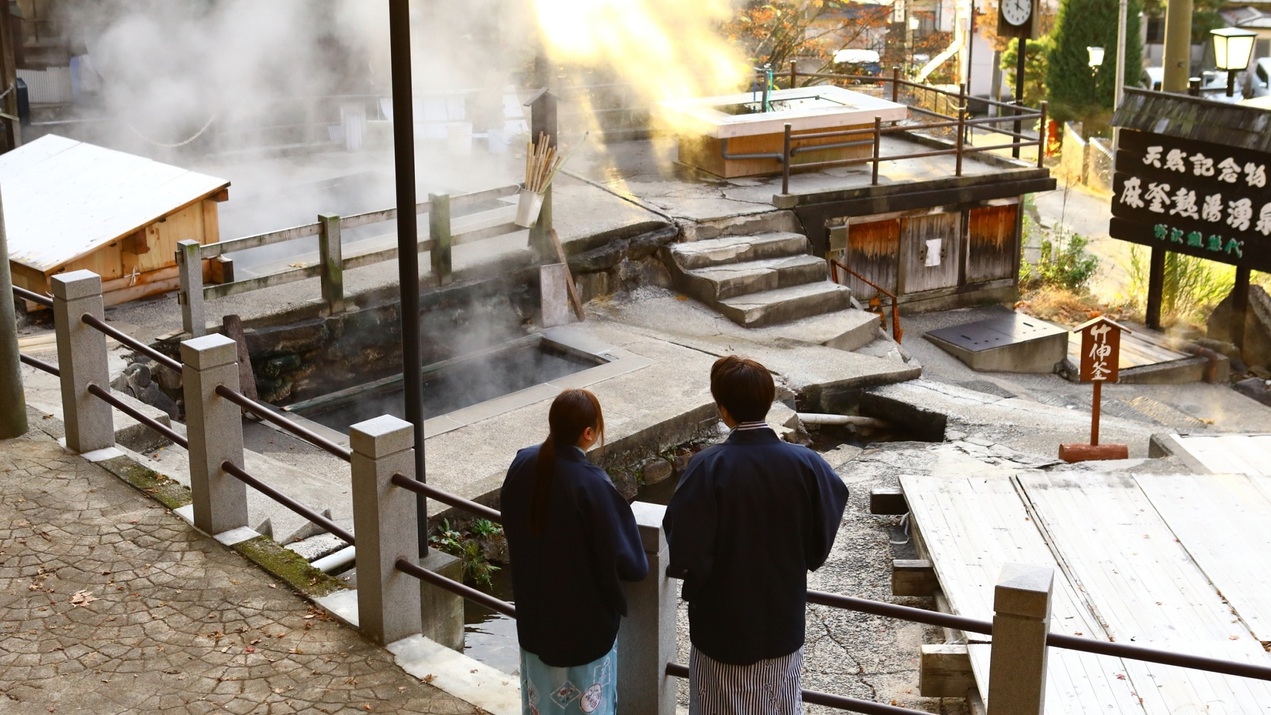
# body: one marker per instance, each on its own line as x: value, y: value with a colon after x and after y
x: 1194, y: 119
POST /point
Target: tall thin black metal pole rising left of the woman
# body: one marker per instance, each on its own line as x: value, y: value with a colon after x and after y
x: 409, y: 239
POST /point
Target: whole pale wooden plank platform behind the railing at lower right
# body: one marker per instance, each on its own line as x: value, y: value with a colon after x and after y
x: 1175, y: 563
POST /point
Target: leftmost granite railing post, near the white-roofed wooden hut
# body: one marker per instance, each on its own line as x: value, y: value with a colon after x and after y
x: 82, y: 361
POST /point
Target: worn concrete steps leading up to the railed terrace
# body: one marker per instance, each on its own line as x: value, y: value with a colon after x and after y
x: 762, y: 280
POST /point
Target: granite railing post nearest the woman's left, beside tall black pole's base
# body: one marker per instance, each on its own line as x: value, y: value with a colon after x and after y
x: 384, y: 523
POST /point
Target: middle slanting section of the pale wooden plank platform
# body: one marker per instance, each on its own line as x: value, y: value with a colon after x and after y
x: 1145, y: 589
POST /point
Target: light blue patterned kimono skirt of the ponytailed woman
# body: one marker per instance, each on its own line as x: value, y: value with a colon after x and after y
x: 592, y: 689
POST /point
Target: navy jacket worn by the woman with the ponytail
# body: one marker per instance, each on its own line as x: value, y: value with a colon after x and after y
x: 565, y: 581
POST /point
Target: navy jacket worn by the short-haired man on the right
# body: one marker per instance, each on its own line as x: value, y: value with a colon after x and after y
x: 748, y: 521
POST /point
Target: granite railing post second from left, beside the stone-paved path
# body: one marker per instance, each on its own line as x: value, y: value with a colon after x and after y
x: 215, y: 432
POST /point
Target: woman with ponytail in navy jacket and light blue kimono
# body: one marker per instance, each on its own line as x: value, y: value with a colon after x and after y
x: 573, y: 539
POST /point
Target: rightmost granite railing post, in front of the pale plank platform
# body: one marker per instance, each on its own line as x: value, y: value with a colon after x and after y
x: 1017, y: 667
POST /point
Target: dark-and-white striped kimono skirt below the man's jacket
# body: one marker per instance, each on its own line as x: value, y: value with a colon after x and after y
x: 767, y: 688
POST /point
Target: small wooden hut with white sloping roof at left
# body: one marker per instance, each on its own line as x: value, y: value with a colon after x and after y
x: 72, y: 206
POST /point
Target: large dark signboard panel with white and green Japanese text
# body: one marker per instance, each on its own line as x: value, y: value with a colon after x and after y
x: 1194, y: 197
